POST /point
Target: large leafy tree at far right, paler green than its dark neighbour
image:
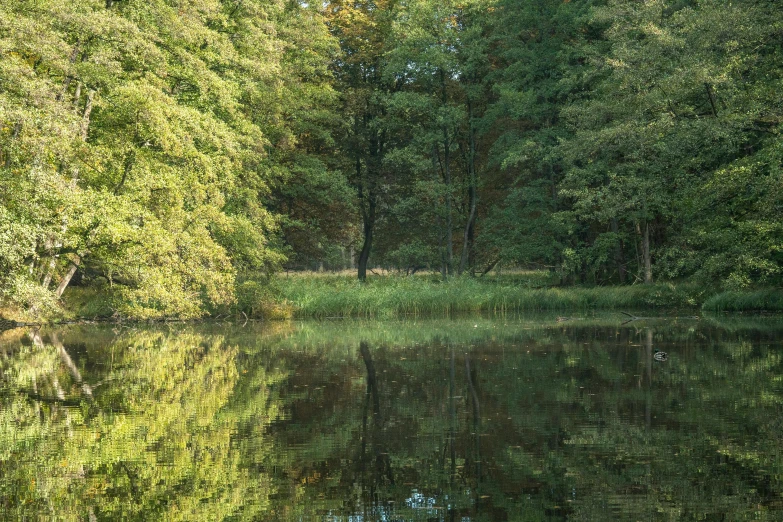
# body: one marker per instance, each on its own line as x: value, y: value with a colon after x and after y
x: 682, y: 104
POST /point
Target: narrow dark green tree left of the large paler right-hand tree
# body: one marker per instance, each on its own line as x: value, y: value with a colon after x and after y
x: 539, y: 68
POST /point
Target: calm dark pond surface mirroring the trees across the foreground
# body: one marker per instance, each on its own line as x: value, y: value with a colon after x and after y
x: 472, y: 419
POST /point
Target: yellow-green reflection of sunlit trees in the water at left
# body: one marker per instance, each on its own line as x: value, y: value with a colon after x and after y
x: 154, y: 439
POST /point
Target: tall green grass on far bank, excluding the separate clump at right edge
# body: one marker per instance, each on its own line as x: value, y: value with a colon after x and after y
x: 389, y: 296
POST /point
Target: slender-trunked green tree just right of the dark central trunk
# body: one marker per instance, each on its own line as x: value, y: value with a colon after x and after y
x: 439, y: 62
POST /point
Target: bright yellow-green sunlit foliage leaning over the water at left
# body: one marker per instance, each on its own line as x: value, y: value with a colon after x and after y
x: 140, y: 140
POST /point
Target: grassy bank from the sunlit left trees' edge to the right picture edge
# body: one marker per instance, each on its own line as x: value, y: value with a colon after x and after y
x: 320, y: 296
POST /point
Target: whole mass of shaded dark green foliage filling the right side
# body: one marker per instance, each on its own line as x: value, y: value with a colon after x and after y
x: 612, y: 119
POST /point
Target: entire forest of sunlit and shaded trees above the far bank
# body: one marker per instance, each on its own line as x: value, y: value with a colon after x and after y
x: 170, y: 157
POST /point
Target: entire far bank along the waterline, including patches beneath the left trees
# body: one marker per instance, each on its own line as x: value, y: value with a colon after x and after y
x: 384, y: 296
